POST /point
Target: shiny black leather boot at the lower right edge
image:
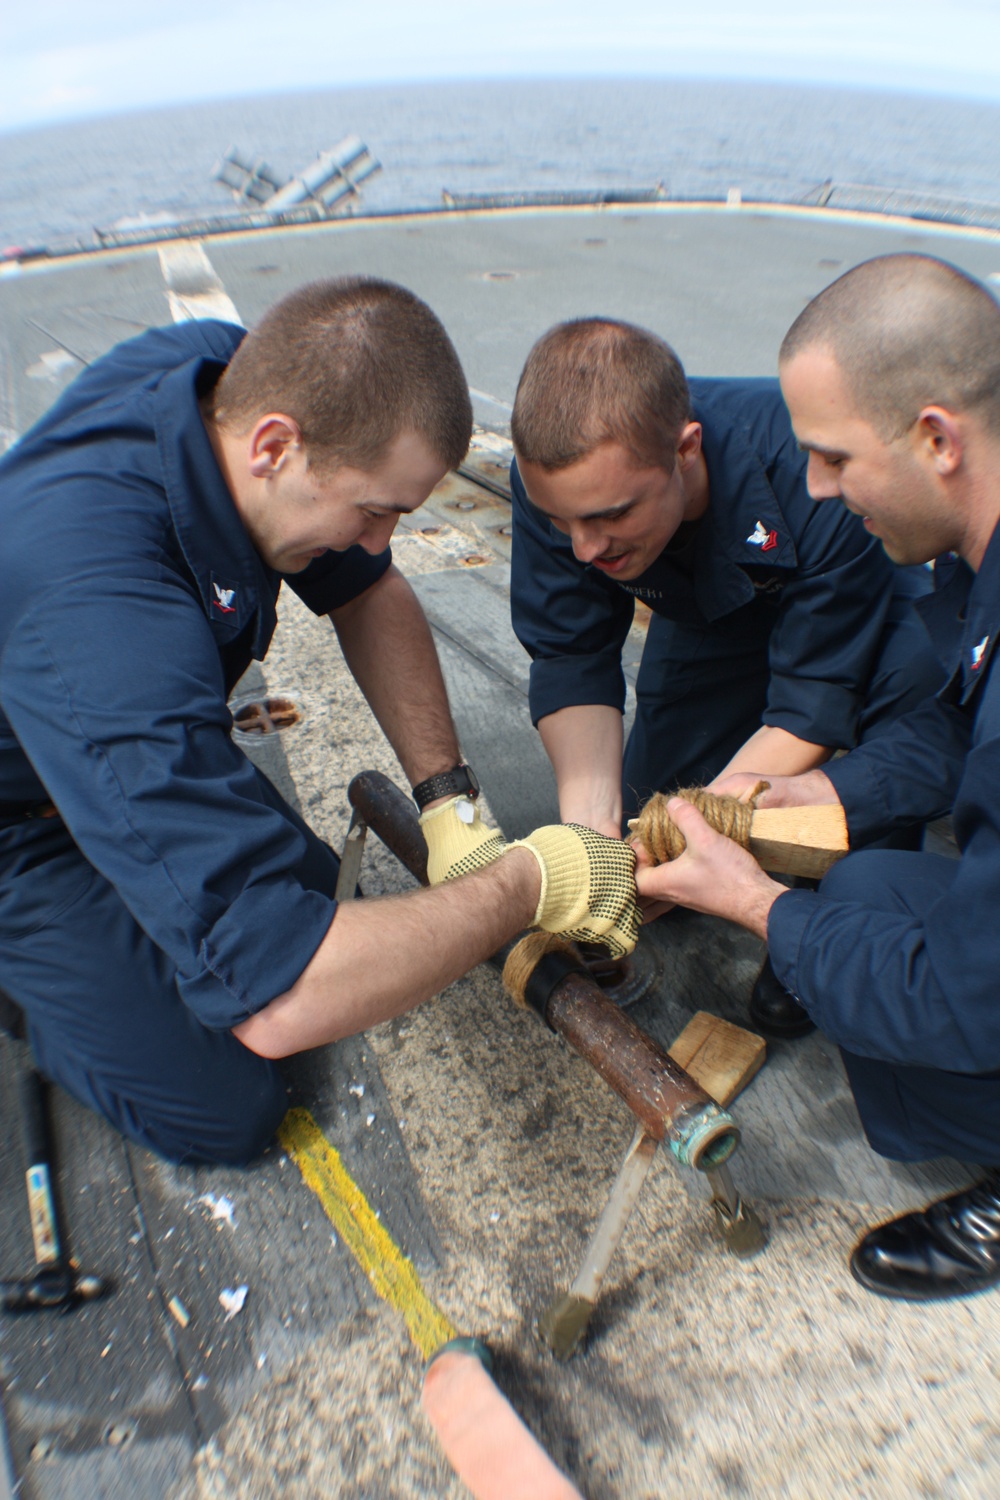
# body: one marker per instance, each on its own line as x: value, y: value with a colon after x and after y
x: 950, y: 1250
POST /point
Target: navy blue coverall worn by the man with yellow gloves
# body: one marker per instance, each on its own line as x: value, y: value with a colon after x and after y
x: 140, y: 925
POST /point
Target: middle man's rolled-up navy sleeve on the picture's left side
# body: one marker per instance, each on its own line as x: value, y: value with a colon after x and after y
x: 569, y: 620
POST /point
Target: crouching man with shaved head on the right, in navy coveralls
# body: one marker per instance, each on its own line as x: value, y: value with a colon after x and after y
x: 893, y: 379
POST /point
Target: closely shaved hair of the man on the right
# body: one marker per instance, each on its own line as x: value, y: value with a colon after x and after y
x: 908, y: 332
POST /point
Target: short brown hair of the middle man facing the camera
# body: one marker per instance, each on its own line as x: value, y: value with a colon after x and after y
x: 594, y: 382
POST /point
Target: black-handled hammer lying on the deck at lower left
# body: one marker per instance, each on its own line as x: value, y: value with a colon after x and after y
x: 55, y: 1282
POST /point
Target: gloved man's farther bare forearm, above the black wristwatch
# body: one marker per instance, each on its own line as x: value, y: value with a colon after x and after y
x: 388, y: 644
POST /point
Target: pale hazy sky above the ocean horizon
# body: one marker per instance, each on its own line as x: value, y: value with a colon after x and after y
x: 65, y: 59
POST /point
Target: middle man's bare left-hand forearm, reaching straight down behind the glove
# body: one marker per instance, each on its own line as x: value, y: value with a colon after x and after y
x: 585, y: 748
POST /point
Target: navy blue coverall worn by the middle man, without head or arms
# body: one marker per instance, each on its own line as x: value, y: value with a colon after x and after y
x: 767, y: 611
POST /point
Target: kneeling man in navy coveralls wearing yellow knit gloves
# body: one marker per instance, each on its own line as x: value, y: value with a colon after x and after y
x: 167, y: 923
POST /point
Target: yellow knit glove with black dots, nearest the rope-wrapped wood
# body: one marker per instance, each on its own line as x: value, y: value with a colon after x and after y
x: 588, y: 886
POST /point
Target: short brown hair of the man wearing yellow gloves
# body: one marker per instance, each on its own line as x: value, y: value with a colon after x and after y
x: 355, y: 362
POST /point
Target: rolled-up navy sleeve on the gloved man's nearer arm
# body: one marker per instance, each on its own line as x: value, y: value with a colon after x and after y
x: 115, y: 691
